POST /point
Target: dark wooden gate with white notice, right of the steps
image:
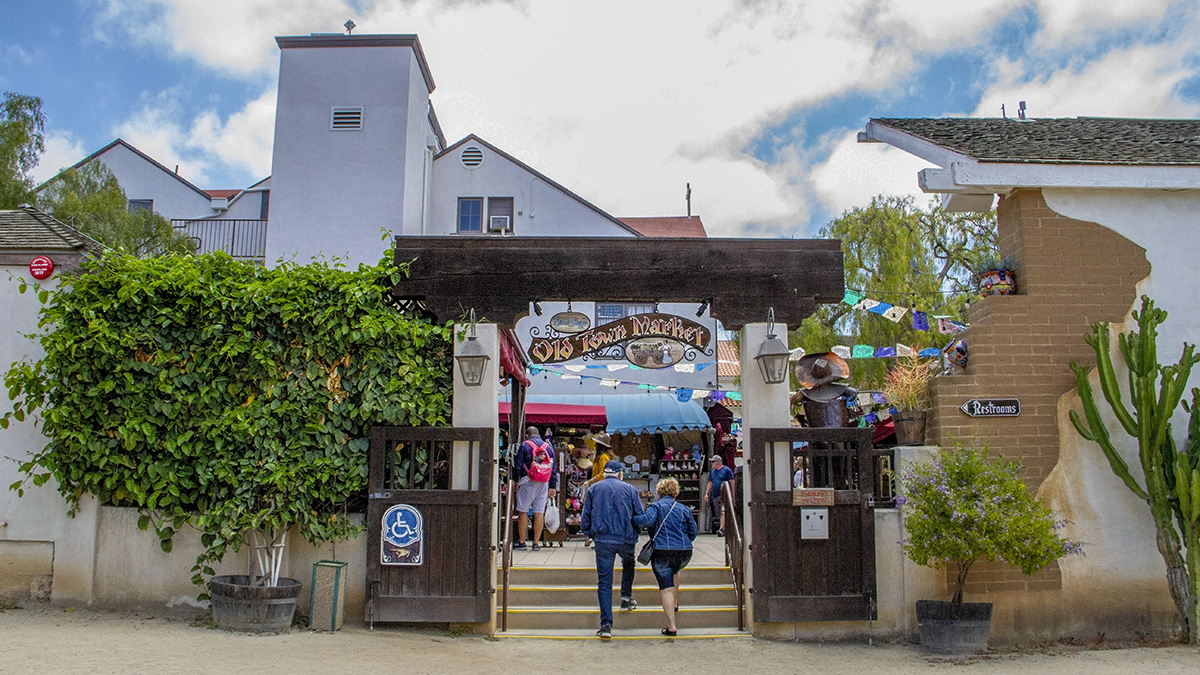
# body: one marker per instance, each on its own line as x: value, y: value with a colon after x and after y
x: 807, y: 580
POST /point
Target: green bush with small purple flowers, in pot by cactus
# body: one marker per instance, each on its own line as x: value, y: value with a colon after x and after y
x: 964, y: 507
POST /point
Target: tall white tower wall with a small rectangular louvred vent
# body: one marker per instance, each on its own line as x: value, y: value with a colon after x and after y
x: 333, y: 192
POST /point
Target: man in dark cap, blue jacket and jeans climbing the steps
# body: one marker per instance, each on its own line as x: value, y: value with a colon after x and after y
x: 609, y: 515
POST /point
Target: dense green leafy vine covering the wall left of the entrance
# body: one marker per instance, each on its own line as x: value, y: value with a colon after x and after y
x: 225, y: 396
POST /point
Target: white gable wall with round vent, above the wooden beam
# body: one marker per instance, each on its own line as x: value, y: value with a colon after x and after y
x: 539, y: 208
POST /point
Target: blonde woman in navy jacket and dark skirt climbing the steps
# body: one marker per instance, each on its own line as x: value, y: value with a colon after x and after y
x: 674, y: 529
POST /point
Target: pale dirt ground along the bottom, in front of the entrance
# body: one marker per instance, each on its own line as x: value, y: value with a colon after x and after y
x: 53, y: 640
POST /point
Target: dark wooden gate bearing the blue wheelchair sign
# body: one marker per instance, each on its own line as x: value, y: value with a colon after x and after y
x: 446, y: 475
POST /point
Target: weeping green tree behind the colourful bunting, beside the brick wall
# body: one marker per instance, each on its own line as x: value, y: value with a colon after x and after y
x: 911, y: 258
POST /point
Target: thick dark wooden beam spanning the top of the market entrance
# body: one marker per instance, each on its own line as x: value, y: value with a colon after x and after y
x: 501, y: 277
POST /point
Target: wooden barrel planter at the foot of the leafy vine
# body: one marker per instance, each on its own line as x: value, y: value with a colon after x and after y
x: 237, y: 606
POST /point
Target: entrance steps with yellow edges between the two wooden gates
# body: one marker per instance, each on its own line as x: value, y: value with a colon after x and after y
x: 561, y: 604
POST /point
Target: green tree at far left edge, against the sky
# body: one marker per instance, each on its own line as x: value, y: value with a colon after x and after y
x: 22, y: 141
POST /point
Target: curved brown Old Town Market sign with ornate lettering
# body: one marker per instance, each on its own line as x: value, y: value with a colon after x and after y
x: 679, y: 330
